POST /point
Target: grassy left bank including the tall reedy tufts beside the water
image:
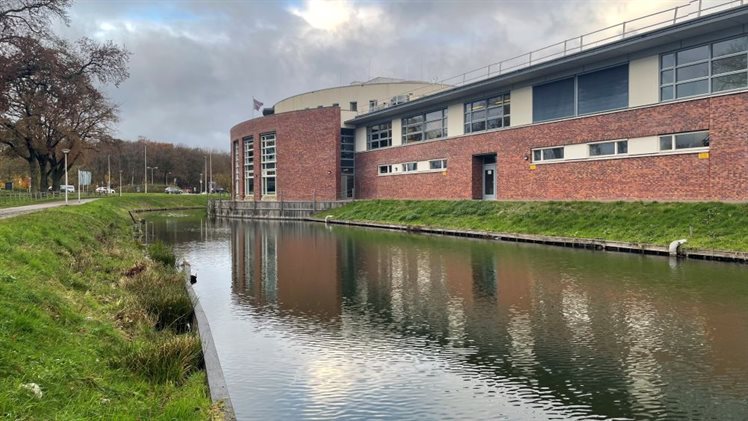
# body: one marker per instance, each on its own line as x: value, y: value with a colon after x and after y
x: 89, y: 327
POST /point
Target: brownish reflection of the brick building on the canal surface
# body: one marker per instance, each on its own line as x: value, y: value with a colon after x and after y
x: 587, y: 329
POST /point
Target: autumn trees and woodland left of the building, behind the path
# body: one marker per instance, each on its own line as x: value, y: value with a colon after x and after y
x: 51, y: 103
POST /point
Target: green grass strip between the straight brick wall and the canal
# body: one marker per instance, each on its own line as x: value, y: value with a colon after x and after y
x: 715, y: 226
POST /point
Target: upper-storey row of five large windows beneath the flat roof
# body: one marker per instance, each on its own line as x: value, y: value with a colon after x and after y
x: 715, y: 67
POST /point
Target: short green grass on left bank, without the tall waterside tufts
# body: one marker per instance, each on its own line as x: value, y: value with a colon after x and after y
x: 59, y: 301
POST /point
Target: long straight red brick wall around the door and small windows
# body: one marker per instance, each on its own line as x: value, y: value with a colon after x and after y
x: 675, y: 177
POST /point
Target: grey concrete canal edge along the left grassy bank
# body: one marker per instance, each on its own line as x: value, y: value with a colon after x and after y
x: 219, y: 392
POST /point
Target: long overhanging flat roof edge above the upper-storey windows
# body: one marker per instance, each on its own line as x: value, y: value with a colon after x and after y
x: 632, y: 44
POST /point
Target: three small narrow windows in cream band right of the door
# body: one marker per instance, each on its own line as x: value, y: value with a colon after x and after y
x: 667, y: 143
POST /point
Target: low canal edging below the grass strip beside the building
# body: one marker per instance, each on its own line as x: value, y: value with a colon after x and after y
x: 585, y: 243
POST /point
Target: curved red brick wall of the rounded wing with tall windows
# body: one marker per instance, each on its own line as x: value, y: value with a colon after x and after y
x: 308, y: 153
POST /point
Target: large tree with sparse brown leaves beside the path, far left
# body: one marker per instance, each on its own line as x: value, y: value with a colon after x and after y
x: 52, y: 102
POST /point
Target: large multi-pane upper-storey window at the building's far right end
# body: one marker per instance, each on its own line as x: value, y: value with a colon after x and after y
x: 716, y: 67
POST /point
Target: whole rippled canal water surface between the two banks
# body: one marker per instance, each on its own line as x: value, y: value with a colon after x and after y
x: 316, y: 322
